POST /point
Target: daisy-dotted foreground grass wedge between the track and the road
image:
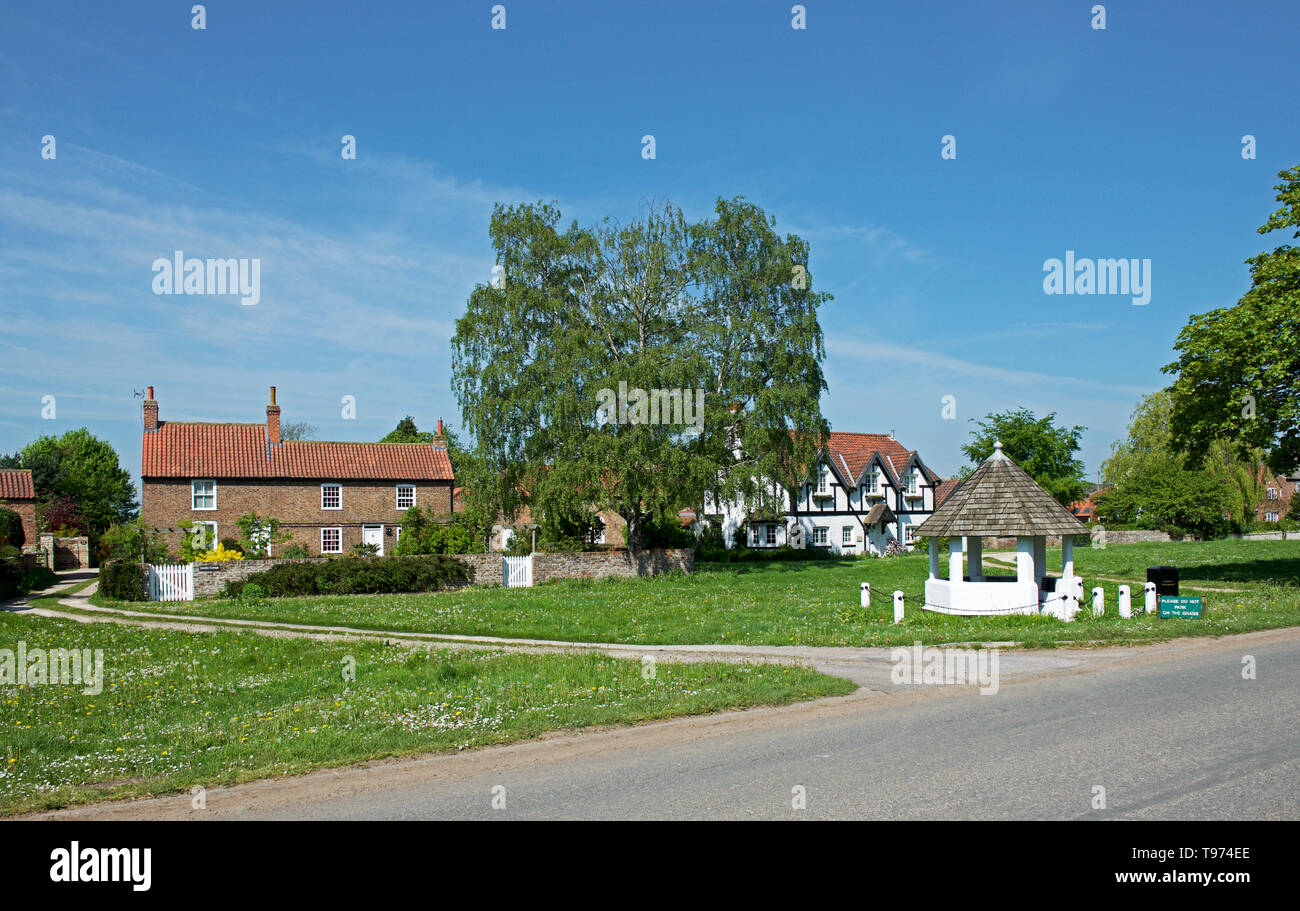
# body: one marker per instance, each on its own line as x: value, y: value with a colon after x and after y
x: 180, y: 710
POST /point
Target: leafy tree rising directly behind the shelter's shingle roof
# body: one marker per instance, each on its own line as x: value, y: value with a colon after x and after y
x: 1047, y: 453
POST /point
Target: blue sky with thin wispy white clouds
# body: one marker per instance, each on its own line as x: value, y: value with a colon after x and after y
x: 226, y: 144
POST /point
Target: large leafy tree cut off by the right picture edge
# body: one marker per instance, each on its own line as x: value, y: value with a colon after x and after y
x: 1240, y: 367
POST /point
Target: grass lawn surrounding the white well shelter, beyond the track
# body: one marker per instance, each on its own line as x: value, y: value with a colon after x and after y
x: 816, y: 604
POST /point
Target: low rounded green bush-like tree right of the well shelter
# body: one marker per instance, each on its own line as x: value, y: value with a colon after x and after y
x: 1167, y: 496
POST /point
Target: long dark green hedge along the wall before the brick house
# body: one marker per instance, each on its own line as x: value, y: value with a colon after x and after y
x: 350, y: 576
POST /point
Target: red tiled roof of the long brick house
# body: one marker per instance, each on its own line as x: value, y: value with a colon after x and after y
x: 241, y: 452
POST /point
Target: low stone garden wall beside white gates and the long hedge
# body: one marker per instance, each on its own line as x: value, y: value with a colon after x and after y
x: 211, y: 576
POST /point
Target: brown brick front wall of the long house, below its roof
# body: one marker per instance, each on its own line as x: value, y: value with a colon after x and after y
x: 167, y: 502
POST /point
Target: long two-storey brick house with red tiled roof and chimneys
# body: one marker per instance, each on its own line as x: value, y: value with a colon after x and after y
x: 330, y: 497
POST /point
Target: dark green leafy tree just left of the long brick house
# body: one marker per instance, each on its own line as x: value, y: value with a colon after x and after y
x: 85, y: 470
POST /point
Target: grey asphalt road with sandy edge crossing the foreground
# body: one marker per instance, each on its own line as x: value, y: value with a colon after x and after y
x: 1169, y: 732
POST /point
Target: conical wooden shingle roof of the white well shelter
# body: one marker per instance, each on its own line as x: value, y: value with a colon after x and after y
x: 1000, y: 500
